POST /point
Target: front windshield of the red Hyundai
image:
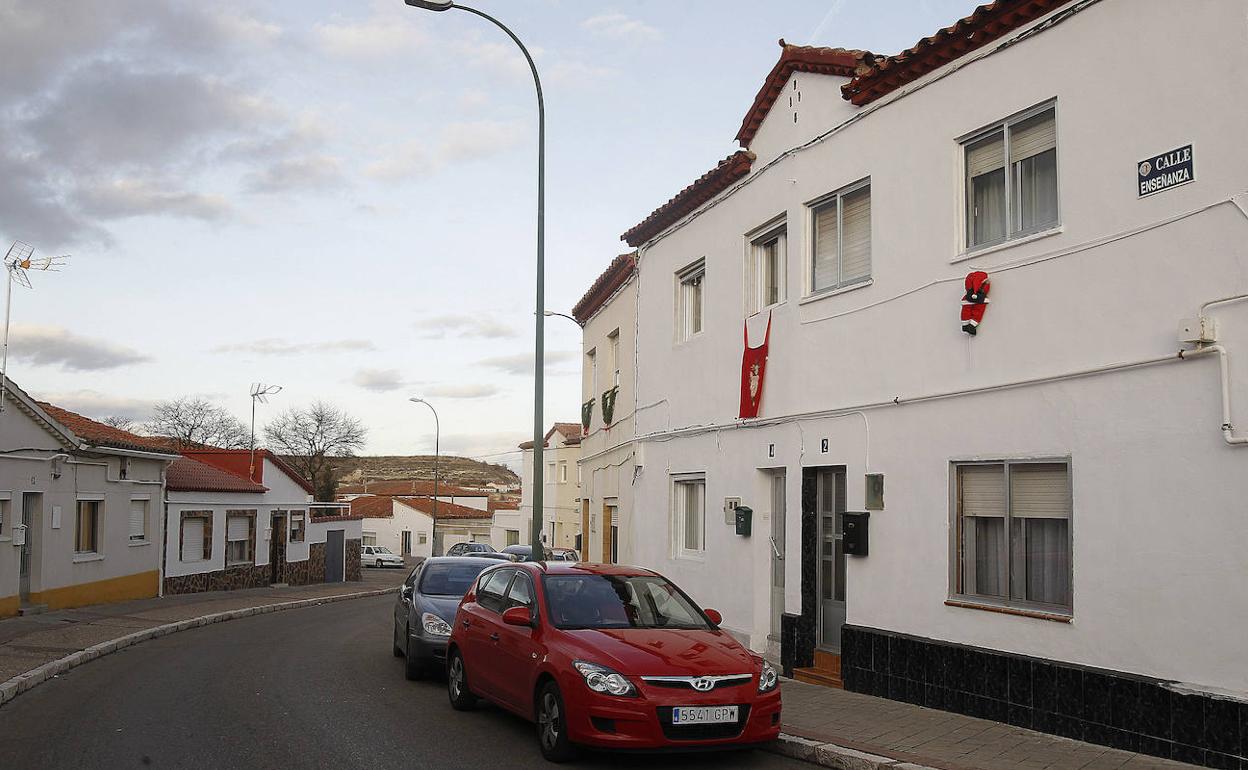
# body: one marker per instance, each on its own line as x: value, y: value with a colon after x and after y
x: 583, y: 602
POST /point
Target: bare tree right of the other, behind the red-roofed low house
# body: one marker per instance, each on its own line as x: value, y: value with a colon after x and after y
x: 310, y: 437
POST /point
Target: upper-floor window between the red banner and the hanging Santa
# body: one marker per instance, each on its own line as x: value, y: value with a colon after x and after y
x: 841, y: 253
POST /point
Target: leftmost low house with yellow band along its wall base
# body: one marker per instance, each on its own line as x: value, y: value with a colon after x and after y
x: 79, y: 509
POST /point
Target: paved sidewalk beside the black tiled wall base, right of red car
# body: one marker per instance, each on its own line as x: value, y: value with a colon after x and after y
x: 841, y: 729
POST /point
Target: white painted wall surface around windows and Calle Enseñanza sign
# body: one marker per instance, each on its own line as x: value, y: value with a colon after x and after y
x: 1159, y: 496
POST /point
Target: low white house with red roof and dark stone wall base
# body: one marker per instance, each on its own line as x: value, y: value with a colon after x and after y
x: 227, y: 531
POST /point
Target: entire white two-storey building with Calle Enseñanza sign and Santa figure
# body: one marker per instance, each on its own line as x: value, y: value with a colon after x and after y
x: 1055, y: 504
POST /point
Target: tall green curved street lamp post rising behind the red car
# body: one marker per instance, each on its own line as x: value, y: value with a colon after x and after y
x: 540, y: 344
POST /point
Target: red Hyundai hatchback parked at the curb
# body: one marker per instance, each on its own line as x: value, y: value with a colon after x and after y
x: 607, y: 657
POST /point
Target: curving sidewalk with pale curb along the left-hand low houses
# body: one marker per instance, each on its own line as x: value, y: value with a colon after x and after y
x: 33, y: 641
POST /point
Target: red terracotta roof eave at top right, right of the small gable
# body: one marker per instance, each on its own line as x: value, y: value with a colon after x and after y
x: 988, y: 23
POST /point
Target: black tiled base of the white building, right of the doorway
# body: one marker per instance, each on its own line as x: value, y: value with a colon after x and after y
x: 1100, y: 707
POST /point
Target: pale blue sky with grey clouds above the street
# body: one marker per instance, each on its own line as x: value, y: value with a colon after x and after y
x: 338, y: 197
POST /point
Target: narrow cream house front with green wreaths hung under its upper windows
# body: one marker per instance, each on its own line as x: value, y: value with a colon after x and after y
x: 608, y: 318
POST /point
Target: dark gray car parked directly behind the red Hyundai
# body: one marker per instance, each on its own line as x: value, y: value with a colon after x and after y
x: 426, y: 608
